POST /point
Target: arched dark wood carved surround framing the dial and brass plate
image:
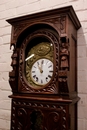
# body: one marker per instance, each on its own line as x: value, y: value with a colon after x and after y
x: 51, y: 88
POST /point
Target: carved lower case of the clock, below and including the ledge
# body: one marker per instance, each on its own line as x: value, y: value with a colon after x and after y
x: 43, y: 113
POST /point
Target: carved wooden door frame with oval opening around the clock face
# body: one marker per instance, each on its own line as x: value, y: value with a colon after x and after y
x: 52, y: 86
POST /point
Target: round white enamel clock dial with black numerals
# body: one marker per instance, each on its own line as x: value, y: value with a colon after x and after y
x: 42, y: 71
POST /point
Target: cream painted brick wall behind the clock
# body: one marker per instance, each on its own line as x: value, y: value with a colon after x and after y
x: 15, y: 8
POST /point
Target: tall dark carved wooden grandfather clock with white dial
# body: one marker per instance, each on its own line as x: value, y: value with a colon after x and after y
x: 44, y: 75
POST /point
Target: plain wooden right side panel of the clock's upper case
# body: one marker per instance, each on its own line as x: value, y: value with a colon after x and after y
x: 72, y: 73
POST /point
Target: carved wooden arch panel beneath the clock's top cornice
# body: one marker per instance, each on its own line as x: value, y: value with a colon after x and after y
x: 58, y: 22
